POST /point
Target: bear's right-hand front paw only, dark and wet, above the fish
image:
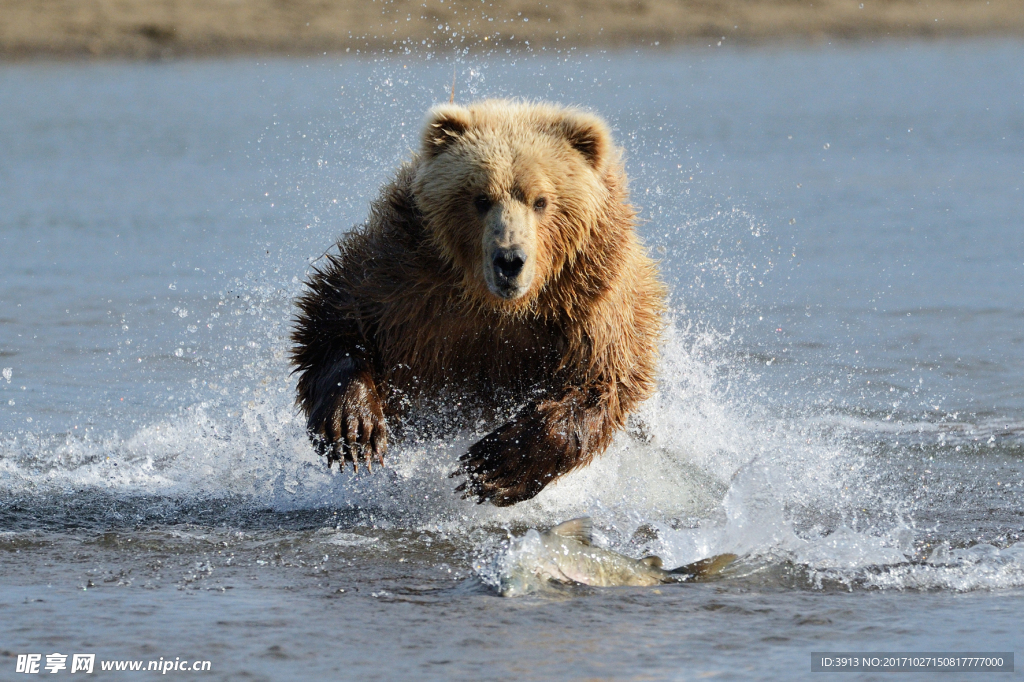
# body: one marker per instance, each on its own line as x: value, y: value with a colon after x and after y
x: 506, y: 466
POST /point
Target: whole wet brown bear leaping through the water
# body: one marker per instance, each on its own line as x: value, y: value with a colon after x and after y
x: 501, y: 267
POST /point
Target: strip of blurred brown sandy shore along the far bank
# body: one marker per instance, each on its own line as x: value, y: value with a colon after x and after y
x: 172, y: 28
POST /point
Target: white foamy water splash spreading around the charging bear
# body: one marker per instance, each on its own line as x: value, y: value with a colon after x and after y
x: 704, y: 470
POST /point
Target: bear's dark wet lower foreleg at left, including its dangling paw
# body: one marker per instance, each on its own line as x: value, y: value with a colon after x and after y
x: 346, y: 416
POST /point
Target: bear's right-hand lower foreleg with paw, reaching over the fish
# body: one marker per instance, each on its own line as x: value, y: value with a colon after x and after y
x: 546, y: 441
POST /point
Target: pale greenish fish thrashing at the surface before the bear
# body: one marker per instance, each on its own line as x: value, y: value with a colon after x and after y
x: 566, y: 556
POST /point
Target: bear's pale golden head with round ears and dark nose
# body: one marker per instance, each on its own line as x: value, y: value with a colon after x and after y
x: 513, y: 193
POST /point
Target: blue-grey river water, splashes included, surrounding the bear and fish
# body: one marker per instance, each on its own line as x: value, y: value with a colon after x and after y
x: 841, y: 395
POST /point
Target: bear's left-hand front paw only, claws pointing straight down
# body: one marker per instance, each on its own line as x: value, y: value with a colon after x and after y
x: 355, y: 428
